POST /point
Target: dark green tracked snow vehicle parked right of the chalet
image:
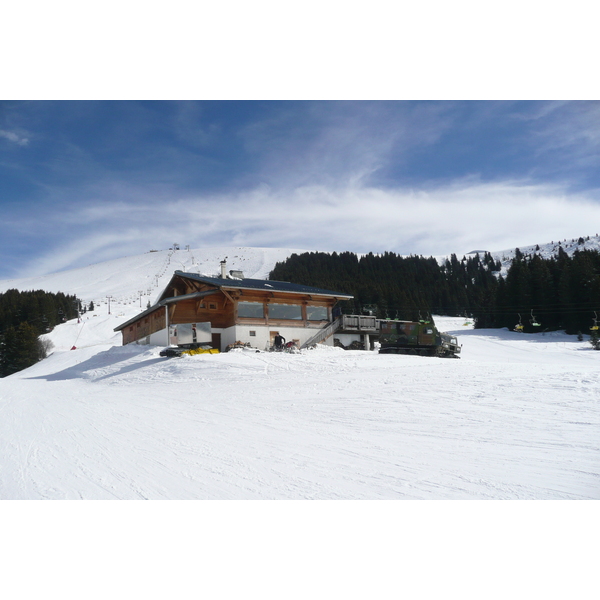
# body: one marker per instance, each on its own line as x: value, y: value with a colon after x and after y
x: 418, y: 338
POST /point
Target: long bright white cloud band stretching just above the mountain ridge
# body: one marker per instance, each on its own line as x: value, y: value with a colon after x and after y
x: 455, y: 218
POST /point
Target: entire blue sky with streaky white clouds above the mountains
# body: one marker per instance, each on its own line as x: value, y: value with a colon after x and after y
x: 87, y: 181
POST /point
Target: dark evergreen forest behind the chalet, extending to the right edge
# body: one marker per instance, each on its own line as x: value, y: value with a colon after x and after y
x: 555, y: 293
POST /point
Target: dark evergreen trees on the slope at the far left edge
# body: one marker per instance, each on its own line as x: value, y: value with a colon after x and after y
x: 24, y: 316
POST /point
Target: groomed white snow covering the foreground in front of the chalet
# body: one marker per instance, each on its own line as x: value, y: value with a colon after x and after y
x: 518, y: 417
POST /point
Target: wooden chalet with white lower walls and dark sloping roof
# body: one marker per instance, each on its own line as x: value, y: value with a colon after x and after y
x: 226, y: 309
